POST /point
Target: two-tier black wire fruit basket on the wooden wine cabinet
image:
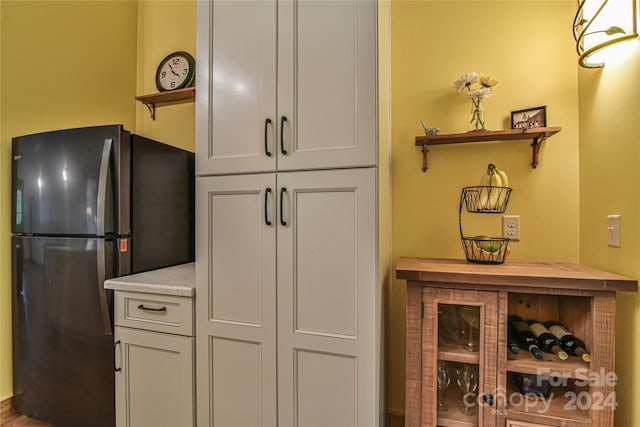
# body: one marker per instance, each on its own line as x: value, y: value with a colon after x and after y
x: 484, y: 199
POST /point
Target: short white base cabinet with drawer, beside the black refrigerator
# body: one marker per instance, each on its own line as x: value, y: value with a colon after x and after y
x: 154, y: 368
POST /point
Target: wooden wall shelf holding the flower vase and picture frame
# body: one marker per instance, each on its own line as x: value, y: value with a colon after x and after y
x: 538, y: 135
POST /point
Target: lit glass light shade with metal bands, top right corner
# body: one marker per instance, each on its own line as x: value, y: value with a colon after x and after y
x: 600, y: 25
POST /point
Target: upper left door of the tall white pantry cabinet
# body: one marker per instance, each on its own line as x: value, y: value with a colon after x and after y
x: 236, y: 80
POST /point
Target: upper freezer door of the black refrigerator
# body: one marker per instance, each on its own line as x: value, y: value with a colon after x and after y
x: 65, y: 182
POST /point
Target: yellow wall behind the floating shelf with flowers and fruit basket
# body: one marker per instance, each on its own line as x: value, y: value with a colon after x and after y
x: 528, y: 46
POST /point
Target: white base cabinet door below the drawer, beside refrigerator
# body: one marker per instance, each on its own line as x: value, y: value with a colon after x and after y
x: 154, y: 386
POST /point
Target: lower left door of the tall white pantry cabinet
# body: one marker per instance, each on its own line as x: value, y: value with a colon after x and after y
x: 236, y: 300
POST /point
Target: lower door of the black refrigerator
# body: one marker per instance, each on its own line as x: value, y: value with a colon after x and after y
x: 63, y: 357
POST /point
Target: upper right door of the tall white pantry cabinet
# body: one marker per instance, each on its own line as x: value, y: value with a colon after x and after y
x: 327, y: 84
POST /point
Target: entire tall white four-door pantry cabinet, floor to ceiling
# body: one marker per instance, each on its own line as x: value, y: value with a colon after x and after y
x: 288, y: 313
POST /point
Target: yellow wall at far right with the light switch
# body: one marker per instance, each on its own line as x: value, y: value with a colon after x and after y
x: 609, y: 183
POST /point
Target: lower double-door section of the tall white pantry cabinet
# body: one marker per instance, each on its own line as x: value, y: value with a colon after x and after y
x: 286, y: 316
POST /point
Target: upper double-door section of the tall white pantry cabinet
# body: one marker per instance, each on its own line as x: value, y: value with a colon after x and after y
x: 286, y: 85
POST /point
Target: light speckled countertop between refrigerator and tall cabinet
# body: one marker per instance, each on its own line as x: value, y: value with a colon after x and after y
x: 179, y: 280
